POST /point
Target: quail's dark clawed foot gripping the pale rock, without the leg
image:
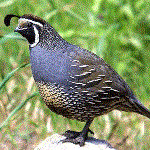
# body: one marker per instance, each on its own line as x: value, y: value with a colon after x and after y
x: 75, y: 137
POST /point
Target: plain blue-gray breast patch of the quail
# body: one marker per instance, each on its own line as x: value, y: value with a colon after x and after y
x: 49, y: 66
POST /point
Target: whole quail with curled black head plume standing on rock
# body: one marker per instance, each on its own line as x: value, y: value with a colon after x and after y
x: 73, y: 81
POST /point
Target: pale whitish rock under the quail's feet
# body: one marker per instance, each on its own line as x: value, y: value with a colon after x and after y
x: 54, y: 142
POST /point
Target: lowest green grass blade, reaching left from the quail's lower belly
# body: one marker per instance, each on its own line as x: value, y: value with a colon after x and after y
x: 17, y: 109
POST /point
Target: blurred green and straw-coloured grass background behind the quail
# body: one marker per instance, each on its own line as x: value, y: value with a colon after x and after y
x: 117, y: 30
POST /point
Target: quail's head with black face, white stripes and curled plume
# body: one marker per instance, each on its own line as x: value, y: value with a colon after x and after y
x: 29, y: 26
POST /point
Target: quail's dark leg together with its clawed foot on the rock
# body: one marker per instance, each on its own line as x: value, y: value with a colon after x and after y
x: 78, y: 137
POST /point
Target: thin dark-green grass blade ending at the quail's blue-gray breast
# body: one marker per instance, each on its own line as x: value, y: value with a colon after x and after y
x: 10, y: 75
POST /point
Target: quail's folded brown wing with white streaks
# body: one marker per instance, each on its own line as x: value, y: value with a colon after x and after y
x: 95, y: 76
